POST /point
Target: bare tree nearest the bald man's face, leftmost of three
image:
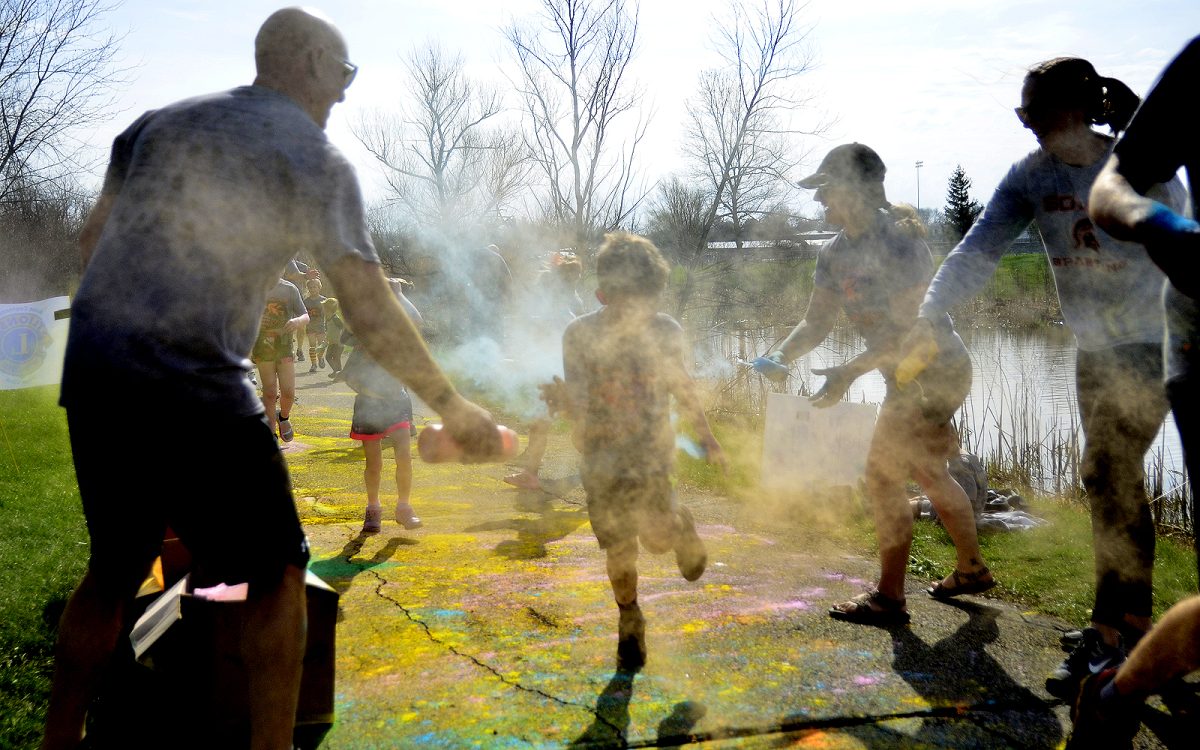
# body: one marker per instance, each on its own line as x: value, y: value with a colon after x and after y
x: 446, y: 161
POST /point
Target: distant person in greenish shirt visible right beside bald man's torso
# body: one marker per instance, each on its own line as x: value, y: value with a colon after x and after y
x: 274, y: 355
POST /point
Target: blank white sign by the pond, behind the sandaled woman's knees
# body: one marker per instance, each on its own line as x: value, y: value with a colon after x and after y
x: 806, y: 447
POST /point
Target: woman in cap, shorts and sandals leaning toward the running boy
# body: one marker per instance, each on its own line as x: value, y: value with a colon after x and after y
x: 877, y: 272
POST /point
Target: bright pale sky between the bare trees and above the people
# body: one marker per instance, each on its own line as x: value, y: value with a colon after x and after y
x: 931, y: 81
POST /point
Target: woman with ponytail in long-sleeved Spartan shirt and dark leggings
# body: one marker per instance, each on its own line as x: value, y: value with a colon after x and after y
x: 1109, y: 293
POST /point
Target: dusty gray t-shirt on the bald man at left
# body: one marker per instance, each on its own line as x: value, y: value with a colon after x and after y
x: 213, y: 197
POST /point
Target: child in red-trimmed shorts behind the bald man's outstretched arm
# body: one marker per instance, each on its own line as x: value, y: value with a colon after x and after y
x: 383, y: 411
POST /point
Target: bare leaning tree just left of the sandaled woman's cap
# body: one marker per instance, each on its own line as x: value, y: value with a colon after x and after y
x: 741, y: 139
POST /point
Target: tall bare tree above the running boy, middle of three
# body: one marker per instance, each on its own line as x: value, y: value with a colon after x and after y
x: 573, y: 80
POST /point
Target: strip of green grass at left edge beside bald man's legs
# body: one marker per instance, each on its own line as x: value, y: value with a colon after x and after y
x: 44, y: 553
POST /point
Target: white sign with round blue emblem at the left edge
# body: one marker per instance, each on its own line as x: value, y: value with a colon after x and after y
x: 33, y: 344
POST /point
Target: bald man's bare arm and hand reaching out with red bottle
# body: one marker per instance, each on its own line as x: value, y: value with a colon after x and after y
x: 388, y: 335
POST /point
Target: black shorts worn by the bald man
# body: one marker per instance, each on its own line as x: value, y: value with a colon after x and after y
x: 225, y: 490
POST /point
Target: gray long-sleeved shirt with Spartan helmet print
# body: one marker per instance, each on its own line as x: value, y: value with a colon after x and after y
x: 1108, y: 290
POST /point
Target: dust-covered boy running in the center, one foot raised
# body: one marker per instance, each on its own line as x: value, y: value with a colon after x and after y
x: 622, y: 365
